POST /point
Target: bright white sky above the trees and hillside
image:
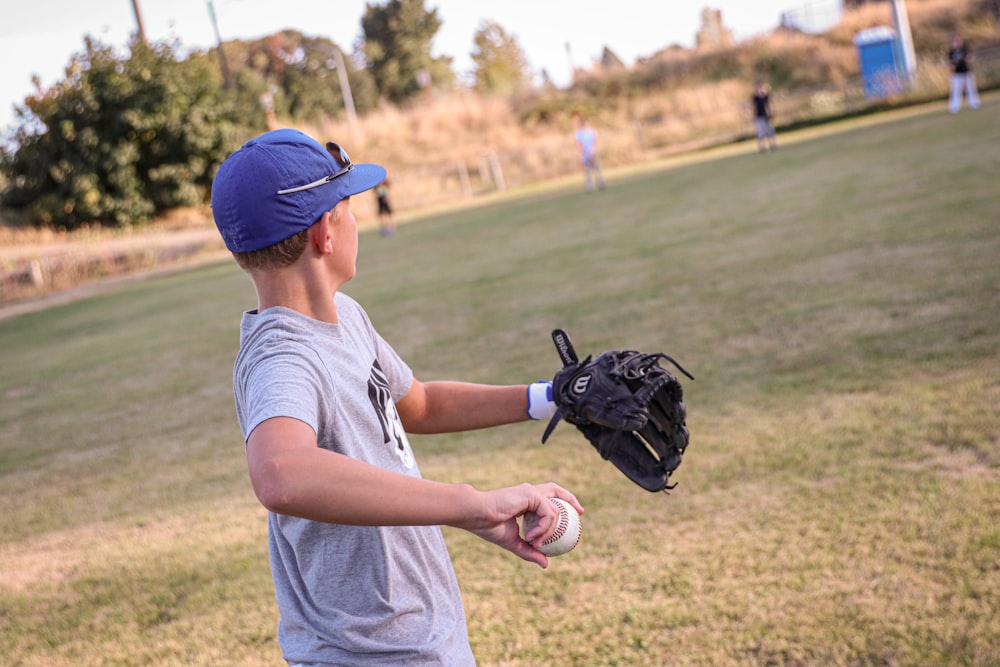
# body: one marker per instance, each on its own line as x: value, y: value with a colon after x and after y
x: 38, y: 37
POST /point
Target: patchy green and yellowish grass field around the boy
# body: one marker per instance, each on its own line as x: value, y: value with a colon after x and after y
x: 838, y: 302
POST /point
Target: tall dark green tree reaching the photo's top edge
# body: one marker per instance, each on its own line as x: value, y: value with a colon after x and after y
x: 397, y: 47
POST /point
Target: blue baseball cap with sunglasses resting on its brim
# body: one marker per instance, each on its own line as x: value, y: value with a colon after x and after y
x: 281, y: 183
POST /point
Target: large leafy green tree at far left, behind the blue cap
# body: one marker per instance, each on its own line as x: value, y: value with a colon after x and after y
x: 120, y: 139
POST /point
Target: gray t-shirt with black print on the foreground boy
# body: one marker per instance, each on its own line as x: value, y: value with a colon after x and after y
x: 347, y: 595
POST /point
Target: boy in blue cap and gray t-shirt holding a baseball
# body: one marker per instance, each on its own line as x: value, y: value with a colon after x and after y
x: 360, y: 567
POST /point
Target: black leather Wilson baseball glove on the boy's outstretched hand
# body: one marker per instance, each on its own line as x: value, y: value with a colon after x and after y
x: 629, y: 407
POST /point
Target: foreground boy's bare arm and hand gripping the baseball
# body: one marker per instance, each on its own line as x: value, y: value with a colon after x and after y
x: 291, y: 475
